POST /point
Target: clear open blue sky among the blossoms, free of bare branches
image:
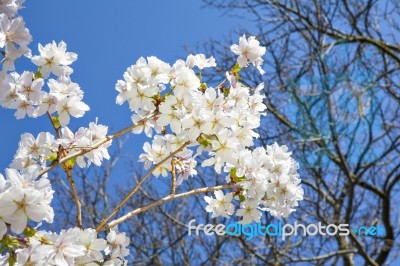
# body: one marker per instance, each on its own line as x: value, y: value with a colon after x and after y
x: 109, y: 36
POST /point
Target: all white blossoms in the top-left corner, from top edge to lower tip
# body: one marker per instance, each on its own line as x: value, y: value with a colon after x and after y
x: 25, y: 92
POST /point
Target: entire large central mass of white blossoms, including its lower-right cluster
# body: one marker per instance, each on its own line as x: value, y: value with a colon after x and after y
x: 192, y: 119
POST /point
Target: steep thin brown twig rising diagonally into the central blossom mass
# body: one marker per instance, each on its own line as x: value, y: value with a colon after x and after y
x: 136, y: 188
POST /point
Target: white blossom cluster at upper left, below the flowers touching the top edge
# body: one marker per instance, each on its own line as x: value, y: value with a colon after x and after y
x: 25, y: 92
